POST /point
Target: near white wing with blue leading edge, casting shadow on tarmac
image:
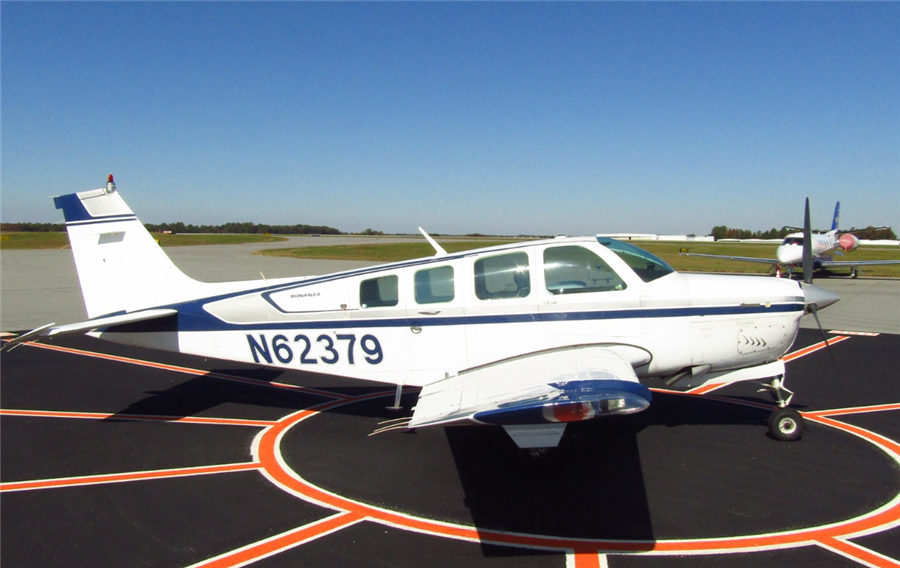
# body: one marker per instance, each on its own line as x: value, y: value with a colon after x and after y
x: 552, y: 386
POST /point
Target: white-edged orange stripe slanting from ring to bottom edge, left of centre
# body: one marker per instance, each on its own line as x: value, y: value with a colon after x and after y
x: 281, y: 542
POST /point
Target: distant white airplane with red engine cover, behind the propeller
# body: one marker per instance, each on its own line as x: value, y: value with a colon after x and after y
x: 789, y: 253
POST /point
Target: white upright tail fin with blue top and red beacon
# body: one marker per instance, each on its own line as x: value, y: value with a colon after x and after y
x: 120, y: 266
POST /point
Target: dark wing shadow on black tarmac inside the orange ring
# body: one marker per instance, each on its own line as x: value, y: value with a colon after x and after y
x: 584, y: 493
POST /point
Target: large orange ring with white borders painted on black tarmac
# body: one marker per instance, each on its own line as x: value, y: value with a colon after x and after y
x: 266, y: 449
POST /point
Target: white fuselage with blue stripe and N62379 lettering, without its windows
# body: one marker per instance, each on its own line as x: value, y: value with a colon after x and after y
x: 416, y: 344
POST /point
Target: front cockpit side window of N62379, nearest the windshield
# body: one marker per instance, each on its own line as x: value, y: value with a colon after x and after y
x: 576, y: 270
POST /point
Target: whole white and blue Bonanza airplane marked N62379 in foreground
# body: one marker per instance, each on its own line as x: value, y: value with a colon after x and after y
x: 529, y: 336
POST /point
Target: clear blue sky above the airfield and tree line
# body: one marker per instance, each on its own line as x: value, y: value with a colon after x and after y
x: 497, y: 117
